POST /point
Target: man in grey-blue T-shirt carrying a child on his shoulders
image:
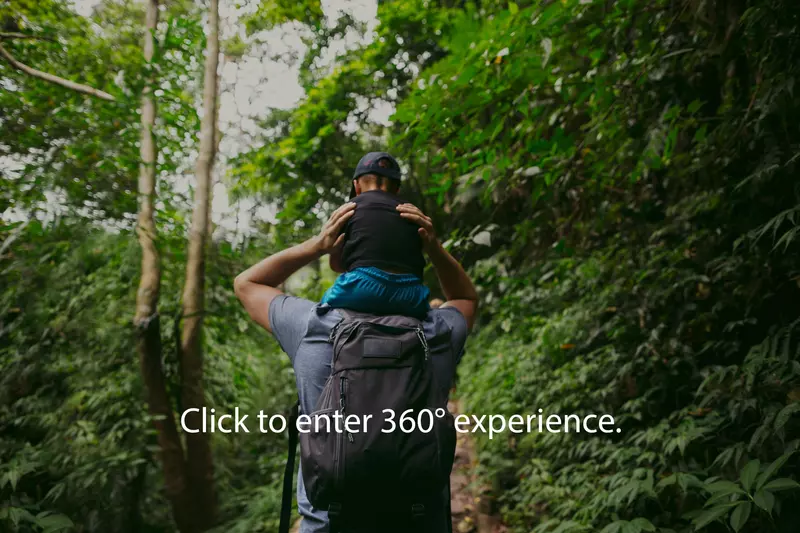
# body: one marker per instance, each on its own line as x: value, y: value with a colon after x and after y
x: 302, y: 327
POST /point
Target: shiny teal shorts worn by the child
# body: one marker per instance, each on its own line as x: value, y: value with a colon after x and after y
x: 374, y: 291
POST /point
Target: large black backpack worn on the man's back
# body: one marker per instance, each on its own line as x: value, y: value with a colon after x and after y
x: 372, y: 478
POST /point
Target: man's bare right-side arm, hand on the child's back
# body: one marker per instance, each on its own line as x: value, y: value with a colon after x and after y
x: 456, y: 284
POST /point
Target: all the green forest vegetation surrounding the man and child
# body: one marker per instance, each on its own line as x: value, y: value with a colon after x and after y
x: 619, y: 178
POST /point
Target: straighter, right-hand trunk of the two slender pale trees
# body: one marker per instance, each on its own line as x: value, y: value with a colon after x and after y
x: 199, y: 460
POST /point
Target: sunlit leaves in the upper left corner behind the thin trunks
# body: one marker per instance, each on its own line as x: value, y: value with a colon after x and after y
x: 83, y: 151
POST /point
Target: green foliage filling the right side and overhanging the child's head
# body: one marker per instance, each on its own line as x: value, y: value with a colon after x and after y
x: 618, y: 175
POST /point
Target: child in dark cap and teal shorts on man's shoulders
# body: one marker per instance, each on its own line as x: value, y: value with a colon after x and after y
x: 381, y: 258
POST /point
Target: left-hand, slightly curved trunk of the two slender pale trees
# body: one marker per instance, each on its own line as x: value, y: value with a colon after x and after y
x: 146, y: 320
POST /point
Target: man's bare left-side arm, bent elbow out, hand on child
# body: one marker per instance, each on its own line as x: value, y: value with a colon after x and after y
x: 256, y: 287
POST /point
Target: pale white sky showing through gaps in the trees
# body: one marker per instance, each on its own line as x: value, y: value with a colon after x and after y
x: 264, y: 79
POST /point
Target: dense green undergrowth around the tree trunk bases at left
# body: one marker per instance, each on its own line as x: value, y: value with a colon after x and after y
x: 77, y: 446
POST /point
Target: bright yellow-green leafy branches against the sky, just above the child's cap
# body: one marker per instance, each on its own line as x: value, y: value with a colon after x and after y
x: 307, y: 159
